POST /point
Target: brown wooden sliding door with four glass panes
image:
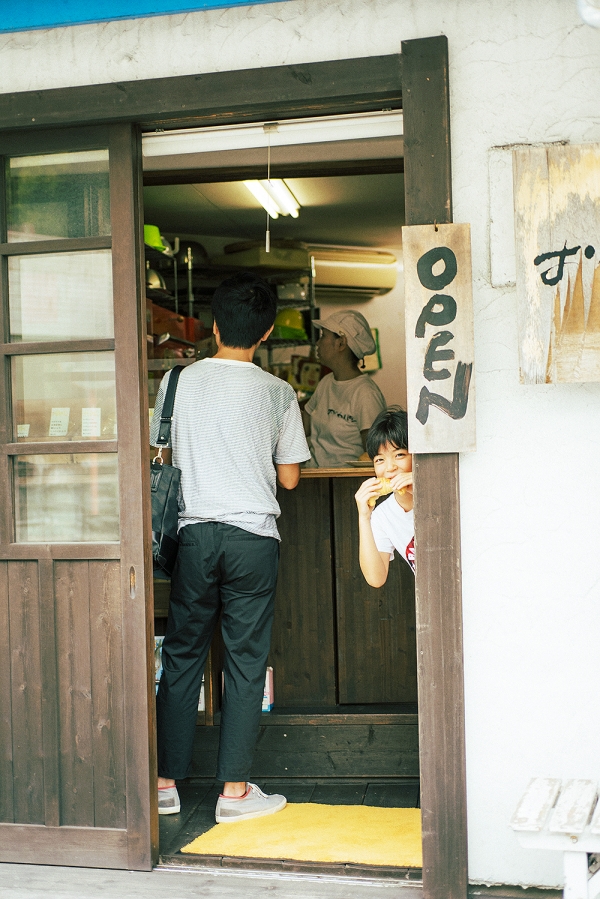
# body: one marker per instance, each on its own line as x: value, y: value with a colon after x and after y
x: 77, y: 713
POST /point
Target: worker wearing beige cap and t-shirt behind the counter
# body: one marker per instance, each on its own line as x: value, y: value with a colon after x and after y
x: 346, y: 401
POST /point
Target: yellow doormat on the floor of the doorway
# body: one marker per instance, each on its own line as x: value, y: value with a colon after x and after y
x: 306, y: 831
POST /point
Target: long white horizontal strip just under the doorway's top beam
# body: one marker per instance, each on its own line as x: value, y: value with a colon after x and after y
x: 318, y: 129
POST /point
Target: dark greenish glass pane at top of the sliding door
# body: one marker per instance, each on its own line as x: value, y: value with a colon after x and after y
x: 58, y: 195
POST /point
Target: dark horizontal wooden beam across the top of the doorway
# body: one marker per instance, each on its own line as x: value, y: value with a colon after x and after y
x: 321, y: 88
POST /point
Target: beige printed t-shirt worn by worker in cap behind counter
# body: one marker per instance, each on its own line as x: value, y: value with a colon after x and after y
x: 339, y: 411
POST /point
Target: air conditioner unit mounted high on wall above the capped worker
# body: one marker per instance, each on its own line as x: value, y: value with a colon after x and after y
x: 352, y: 274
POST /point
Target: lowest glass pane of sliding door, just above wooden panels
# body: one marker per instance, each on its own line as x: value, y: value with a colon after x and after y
x: 66, y: 498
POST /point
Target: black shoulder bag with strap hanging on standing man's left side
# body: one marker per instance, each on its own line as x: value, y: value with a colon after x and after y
x: 164, y: 487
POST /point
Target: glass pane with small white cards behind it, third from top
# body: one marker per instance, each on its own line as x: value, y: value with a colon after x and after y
x: 64, y: 396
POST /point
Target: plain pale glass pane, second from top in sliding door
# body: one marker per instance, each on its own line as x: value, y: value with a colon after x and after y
x: 61, y: 296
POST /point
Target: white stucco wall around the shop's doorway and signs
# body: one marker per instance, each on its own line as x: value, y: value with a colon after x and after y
x: 530, y: 495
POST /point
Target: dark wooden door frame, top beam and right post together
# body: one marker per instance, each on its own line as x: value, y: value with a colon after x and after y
x: 417, y: 81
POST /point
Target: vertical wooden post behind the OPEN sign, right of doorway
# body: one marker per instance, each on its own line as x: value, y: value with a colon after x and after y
x: 427, y: 177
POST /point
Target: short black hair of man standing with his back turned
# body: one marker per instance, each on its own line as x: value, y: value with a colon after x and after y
x: 244, y: 307
